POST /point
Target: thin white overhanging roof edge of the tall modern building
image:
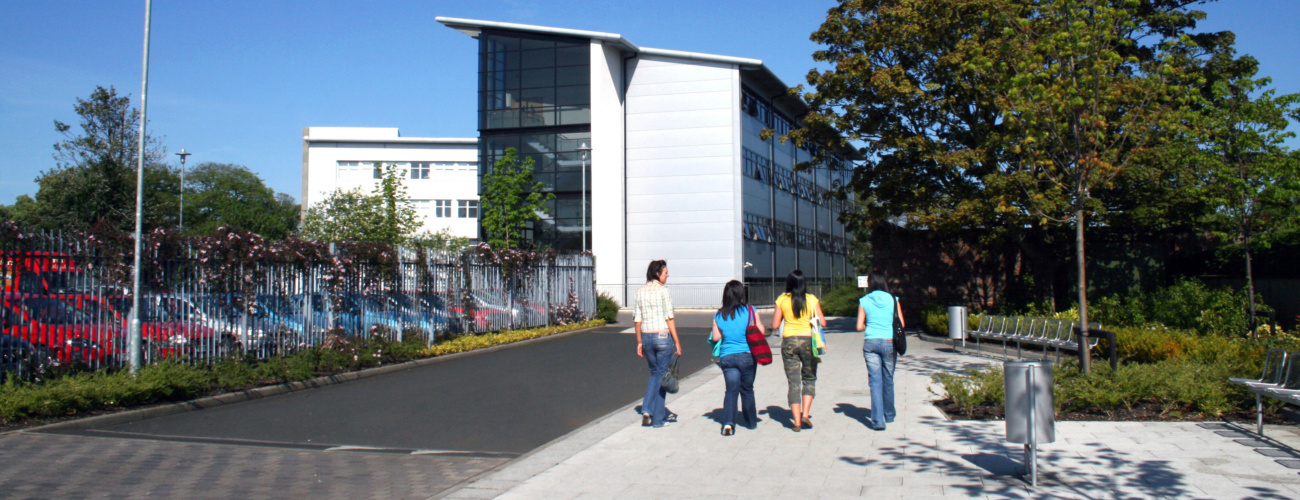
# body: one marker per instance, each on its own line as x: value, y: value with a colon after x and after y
x: 755, y: 69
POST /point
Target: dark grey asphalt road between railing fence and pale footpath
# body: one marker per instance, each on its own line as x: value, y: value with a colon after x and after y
x: 500, y: 403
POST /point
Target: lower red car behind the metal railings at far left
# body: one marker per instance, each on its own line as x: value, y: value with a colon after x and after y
x: 71, y: 334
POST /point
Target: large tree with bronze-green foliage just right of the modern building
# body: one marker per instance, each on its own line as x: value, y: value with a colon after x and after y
x: 941, y: 99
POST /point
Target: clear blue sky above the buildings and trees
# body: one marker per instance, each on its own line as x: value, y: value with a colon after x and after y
x: 236, y: 81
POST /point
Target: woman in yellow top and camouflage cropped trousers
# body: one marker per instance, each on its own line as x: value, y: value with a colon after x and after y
x: 798, y: 310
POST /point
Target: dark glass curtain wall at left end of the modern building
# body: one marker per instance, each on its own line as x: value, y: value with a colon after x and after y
x: 535, y: 97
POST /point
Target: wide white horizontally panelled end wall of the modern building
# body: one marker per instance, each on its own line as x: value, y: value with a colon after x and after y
x: 683, y: 163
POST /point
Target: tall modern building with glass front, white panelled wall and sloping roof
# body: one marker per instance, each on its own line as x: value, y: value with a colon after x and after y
x: 678, y: 169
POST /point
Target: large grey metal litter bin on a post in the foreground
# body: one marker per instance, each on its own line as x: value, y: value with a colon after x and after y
x: 1030, y: 414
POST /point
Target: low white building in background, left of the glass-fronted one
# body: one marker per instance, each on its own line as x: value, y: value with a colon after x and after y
x: 441, y: 175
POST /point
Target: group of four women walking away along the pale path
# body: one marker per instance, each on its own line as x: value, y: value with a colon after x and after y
x: 795, y: 316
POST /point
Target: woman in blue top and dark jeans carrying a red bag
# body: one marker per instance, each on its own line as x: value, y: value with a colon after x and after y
x: 734, y: 356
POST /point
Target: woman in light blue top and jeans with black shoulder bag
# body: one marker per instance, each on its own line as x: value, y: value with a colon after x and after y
x: 876, y: 316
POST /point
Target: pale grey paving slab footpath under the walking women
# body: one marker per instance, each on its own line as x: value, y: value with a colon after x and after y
x: 921, y: 455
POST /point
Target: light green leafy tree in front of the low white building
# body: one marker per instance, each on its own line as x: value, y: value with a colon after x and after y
x: 352, y: 216
